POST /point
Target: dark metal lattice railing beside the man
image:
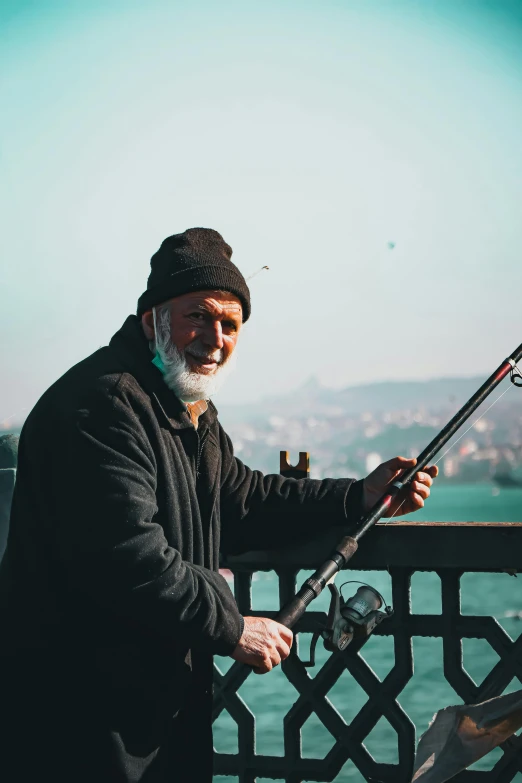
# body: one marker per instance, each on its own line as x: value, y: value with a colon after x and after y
x: 449, y: 549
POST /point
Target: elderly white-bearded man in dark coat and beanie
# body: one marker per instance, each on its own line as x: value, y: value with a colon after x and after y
x: 111, y: 603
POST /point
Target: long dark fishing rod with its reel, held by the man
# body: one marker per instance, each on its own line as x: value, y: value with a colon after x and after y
x: 357, y: 617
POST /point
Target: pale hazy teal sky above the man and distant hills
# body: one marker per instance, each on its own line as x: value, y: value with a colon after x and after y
x: 310, y: 134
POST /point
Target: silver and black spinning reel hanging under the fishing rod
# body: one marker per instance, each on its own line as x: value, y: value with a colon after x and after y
x: 351, y: 621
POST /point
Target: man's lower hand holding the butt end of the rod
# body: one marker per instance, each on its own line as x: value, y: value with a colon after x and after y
x: 264, y: 644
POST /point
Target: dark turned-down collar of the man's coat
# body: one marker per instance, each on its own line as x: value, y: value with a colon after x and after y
x: 132, y: 348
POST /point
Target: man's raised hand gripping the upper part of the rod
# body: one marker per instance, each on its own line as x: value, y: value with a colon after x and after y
x: 411, y: 497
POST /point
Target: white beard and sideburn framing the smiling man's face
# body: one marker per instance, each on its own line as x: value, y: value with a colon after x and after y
x: 186, y: 384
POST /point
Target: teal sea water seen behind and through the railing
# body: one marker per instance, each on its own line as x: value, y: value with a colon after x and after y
x: 271, y: 696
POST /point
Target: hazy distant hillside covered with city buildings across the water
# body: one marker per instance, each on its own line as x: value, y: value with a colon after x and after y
x: 342, y: 428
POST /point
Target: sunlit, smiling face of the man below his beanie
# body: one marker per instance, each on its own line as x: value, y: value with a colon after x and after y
x: 204, y: 327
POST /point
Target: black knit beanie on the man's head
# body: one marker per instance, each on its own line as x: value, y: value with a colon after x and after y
x: 196, y: 260
